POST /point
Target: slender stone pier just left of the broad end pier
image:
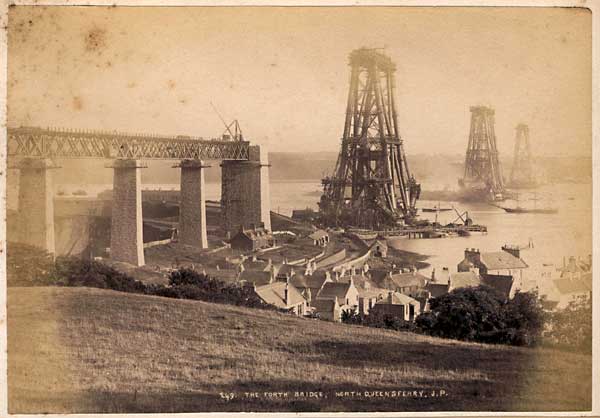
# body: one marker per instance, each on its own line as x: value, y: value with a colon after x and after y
x: 192, y: 207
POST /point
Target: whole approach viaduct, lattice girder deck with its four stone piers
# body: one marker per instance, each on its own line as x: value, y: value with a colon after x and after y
x: 244, y: 187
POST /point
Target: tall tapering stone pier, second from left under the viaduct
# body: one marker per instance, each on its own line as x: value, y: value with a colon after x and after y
x: 126, y: 231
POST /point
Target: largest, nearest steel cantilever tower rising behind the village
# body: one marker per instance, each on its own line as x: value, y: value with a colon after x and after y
x: 371, y: 186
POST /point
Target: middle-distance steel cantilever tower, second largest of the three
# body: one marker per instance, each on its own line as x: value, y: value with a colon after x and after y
x: 483, y: 176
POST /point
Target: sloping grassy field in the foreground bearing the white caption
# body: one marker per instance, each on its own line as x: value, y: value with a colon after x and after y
x: 87, y: 350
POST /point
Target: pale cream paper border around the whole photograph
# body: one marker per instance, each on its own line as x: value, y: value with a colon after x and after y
x: 592, y: 5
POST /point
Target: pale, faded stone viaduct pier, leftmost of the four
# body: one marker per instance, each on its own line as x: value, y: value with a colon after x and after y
x: 36, y: 203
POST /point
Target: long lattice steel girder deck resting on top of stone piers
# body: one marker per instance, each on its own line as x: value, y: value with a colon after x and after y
x: 49, y: 143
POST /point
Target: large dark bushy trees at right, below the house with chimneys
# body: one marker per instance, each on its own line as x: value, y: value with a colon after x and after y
x: 483, y: 315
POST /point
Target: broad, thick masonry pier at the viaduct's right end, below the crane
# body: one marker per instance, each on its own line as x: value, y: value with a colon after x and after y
x: 245, y: 198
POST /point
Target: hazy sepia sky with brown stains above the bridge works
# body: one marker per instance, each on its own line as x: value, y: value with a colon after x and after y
x: 283, y: 71
